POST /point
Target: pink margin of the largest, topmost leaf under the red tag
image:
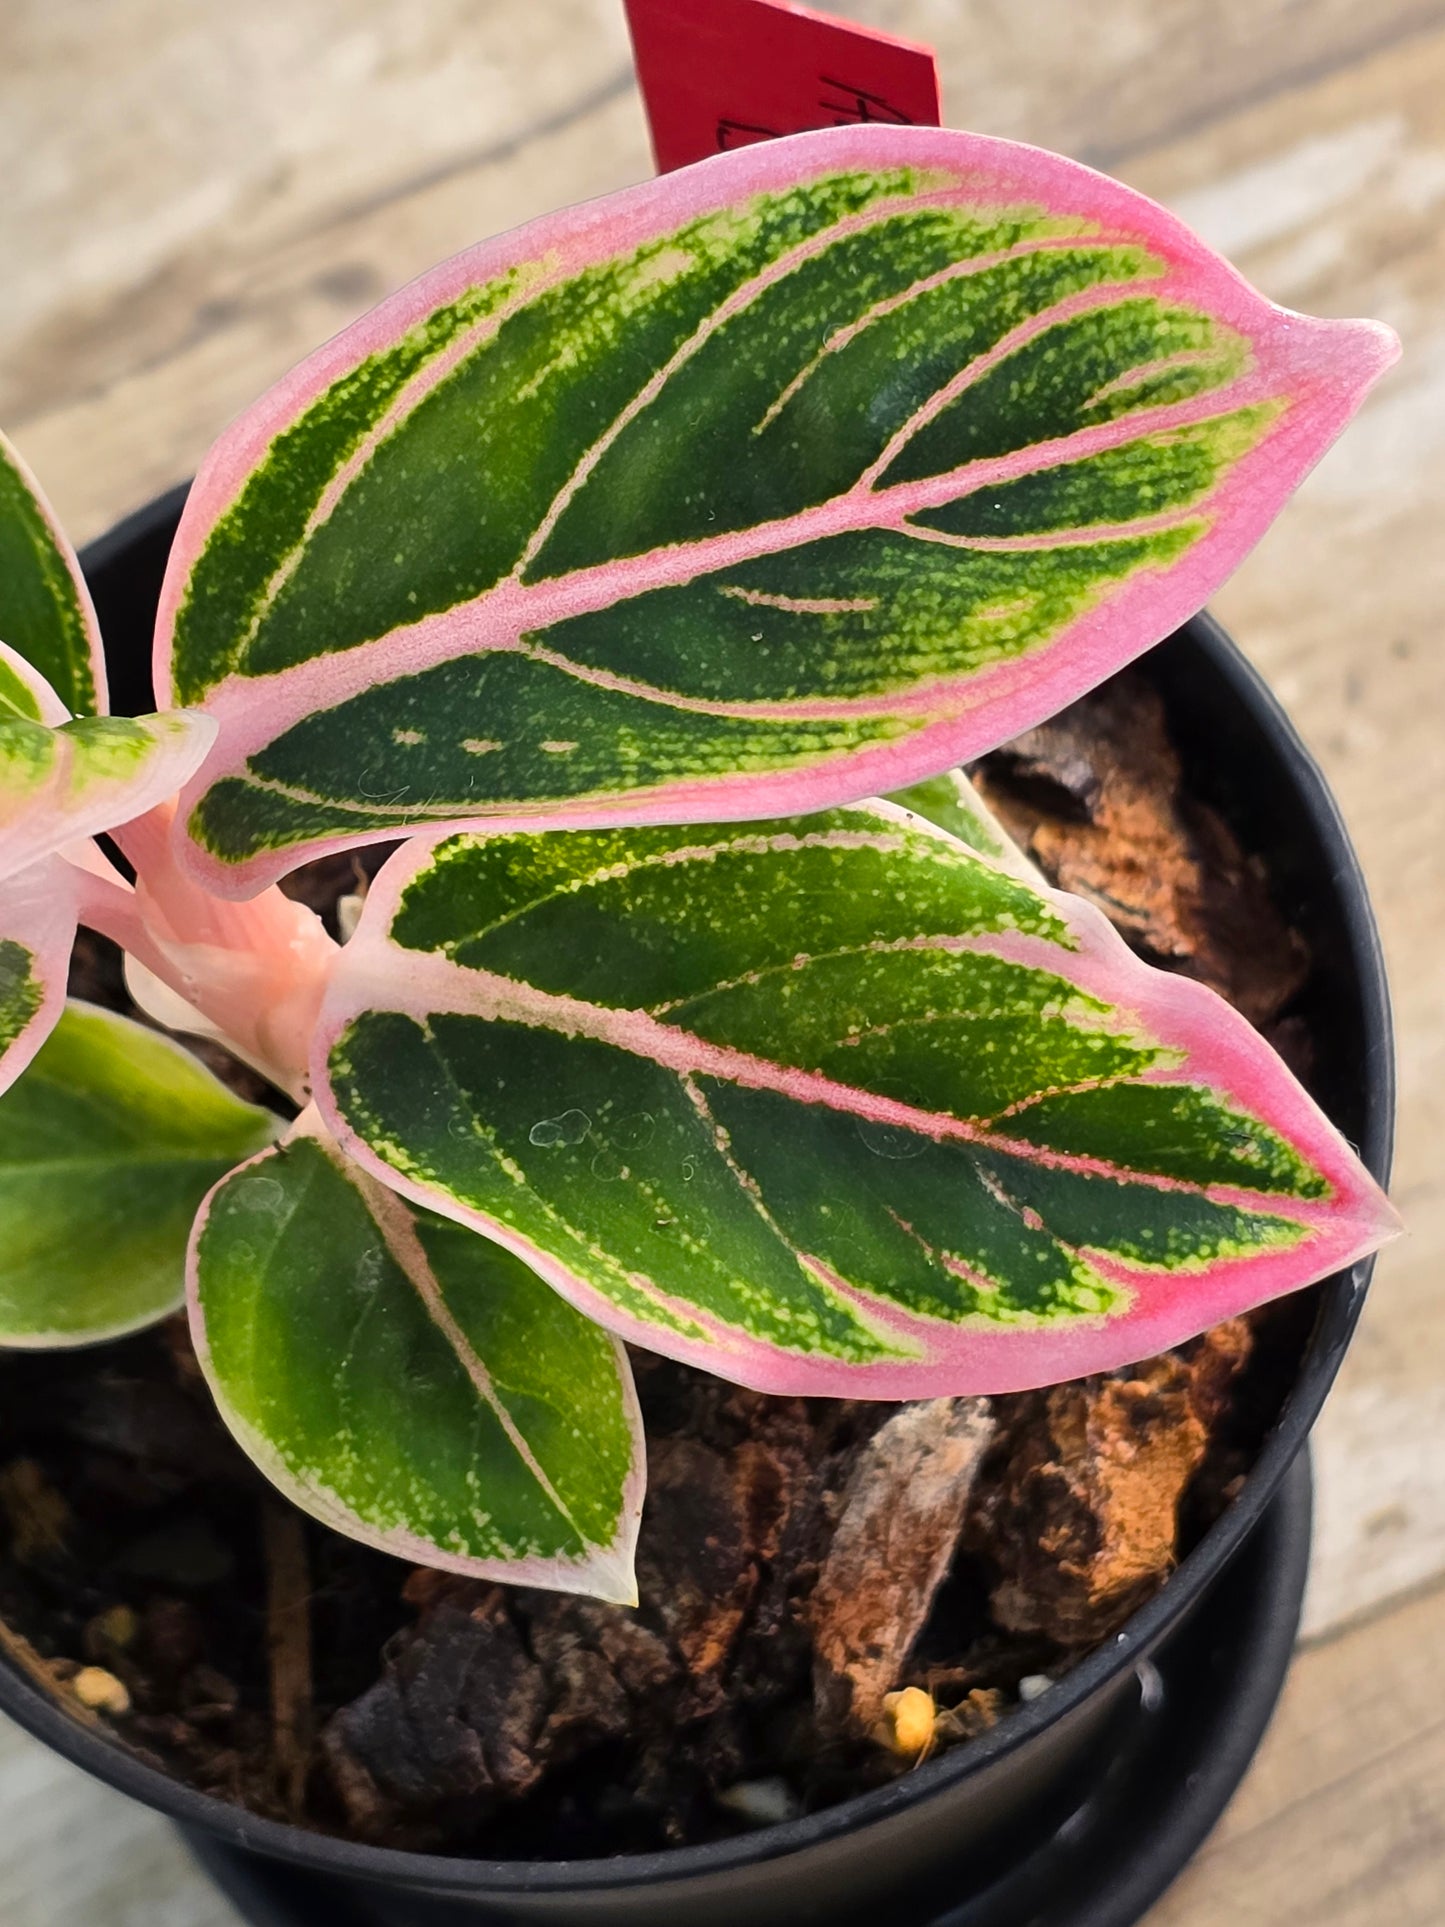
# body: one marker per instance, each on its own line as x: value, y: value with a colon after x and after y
x: 1325, y: 367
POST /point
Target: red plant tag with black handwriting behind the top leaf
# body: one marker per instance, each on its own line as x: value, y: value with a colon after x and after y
x: 720, y: 74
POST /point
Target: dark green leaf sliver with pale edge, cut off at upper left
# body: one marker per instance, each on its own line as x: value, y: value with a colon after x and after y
x: 45, y: 606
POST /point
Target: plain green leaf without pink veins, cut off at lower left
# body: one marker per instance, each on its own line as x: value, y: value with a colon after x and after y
x: 107, y: 1149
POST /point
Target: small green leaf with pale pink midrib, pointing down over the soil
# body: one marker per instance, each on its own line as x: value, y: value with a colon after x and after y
x: 411, y: 1385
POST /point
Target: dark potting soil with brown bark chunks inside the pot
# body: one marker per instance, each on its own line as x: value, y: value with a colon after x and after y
x: 829, y: 1589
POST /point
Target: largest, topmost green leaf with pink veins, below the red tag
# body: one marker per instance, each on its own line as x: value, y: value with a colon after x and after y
x: 791, y: 477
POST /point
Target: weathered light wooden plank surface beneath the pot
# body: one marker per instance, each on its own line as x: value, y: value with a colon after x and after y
x: 197, y: 192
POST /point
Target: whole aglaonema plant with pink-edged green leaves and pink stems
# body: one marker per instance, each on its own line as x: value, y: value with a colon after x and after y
x: 652, y: 571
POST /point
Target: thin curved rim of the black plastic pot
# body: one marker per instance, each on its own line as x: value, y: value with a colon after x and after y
x: 1340, y: 1307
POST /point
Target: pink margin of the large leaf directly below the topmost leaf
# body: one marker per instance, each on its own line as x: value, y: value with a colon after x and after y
x: 1221, y: 1049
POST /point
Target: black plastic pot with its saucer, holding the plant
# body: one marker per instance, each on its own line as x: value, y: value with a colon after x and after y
x: 1078, y: 1808
